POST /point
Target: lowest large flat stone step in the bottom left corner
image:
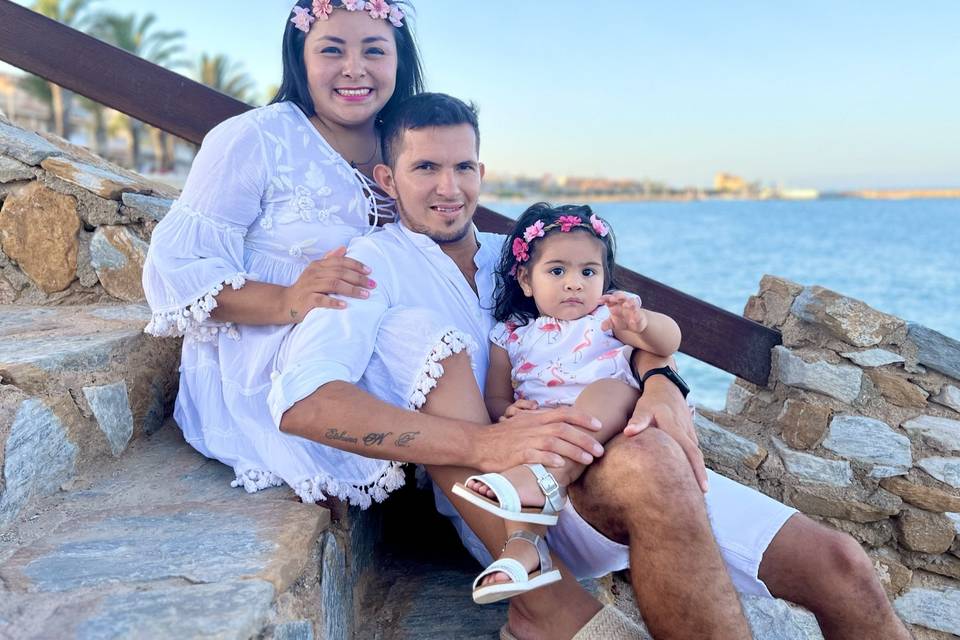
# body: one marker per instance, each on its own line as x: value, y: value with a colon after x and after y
x: 157, y: 545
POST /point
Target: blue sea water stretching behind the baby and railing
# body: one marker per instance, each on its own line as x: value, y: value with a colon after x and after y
x: 900, y: 257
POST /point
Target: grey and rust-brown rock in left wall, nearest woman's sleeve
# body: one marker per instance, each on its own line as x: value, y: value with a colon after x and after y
x: 118, y: 255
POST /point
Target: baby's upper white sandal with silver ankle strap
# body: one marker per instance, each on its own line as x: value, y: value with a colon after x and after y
x: 508, y: 505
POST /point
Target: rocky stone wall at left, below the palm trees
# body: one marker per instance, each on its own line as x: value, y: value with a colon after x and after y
x: 74, y: 229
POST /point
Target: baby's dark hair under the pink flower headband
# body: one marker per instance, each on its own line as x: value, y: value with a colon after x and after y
x: 509, y: 302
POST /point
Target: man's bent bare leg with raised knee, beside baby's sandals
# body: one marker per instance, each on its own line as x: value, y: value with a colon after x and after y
x: 642, y: 493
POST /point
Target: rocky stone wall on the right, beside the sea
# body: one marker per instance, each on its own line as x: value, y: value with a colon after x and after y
x: 859, y: 427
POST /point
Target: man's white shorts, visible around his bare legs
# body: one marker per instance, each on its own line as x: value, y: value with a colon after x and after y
x: 744, y: 522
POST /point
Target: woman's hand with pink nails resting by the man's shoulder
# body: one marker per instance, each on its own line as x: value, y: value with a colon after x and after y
x: 334, y: 273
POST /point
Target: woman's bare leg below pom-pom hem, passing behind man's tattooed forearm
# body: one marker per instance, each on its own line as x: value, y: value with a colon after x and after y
x: 457, y: 396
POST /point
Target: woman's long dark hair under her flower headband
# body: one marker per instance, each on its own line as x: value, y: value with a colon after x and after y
x: 294, y: 86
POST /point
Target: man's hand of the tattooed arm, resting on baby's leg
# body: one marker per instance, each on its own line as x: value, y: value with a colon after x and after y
x: 538, y: 437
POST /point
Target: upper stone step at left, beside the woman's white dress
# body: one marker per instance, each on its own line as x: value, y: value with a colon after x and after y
x: 77, y: 384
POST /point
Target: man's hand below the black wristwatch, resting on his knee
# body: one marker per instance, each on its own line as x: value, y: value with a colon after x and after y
x: 663, y: 406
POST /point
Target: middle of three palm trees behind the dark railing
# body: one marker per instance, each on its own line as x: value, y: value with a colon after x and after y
x: 137, y: 35
